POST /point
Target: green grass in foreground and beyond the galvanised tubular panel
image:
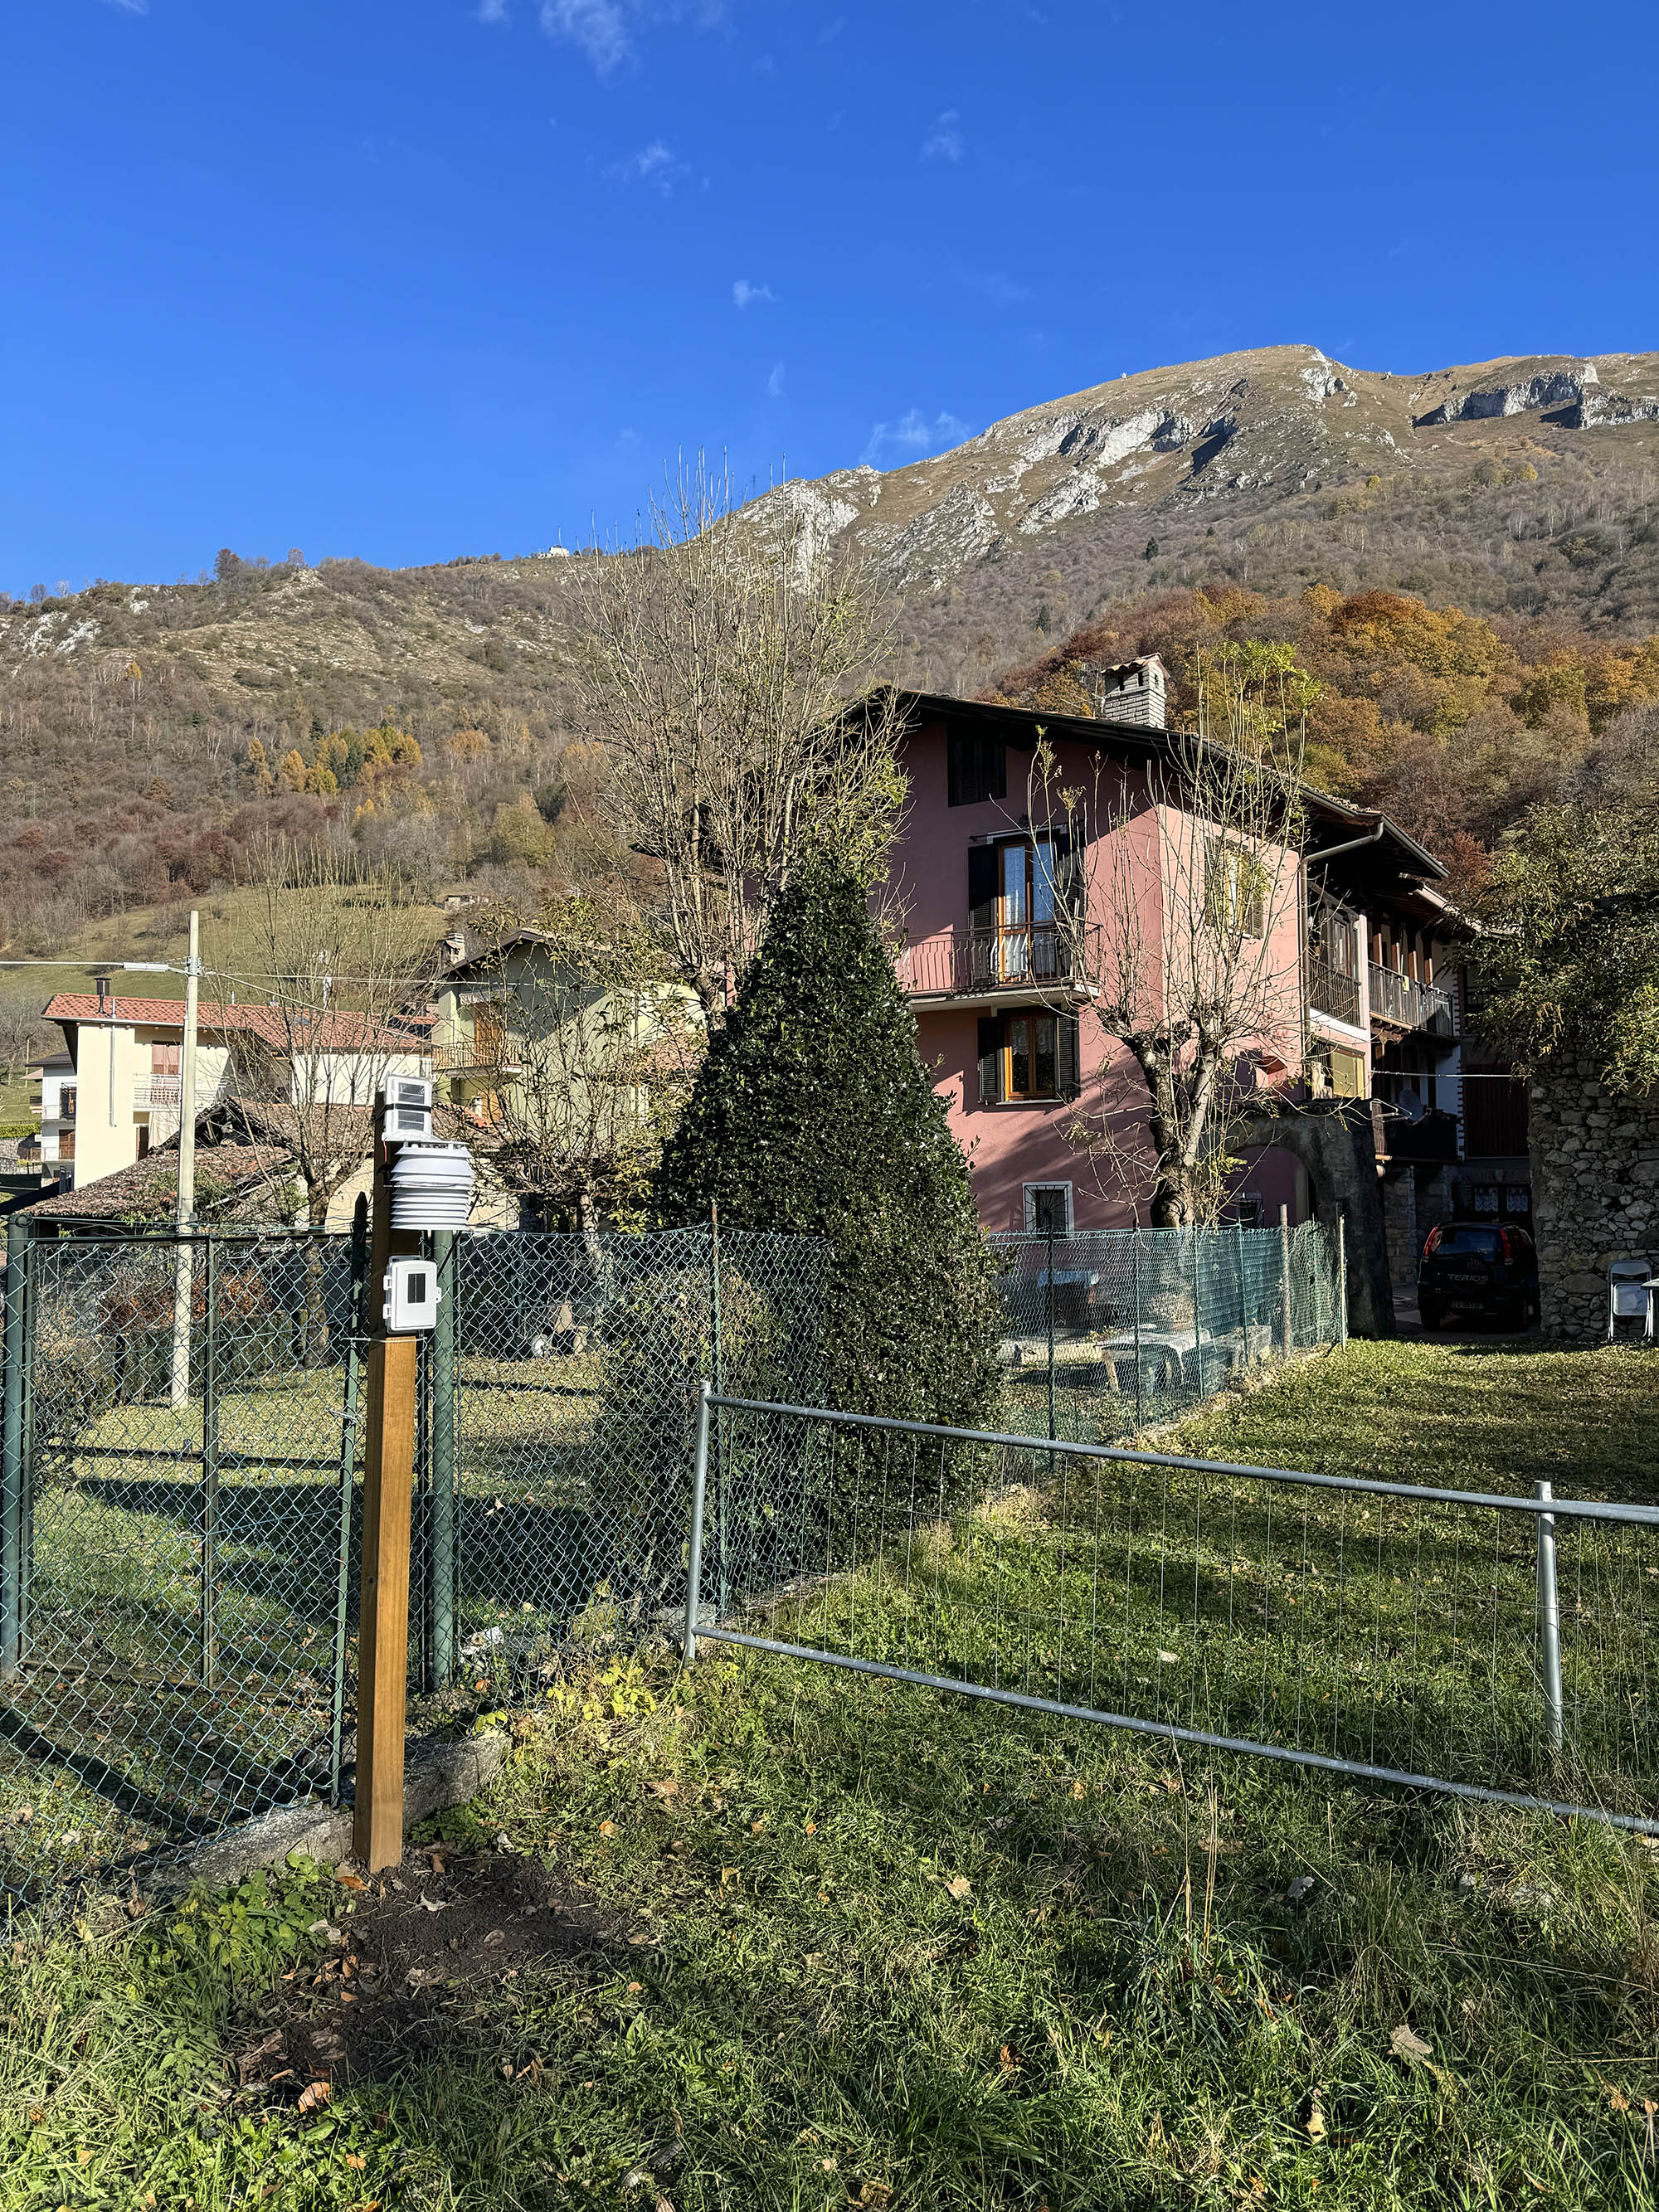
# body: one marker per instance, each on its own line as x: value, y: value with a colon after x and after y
x: 842, y: 1941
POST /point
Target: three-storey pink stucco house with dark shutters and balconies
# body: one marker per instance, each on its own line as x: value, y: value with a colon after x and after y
x: 999, y: 974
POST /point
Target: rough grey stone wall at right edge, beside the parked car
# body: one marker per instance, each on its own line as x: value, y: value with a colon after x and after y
x: 1596, y: 1193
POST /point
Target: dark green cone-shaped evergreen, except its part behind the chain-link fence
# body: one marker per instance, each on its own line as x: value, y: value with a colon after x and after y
x: 813, y: 1114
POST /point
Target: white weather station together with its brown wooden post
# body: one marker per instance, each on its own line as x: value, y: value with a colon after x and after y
x: 421, y: 1189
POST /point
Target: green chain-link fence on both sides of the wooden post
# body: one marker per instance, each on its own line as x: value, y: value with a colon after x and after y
x: 182, y: 1501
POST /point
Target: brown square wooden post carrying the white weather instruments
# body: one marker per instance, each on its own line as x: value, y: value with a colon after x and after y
x: 388, y: 1483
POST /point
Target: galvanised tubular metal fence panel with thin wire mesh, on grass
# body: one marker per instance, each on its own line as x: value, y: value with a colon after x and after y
x: 1381, y: 1629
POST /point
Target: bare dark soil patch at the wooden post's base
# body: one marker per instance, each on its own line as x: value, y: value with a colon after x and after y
x: 421, y: 1948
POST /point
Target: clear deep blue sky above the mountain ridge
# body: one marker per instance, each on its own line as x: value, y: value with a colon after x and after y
x: 428, y: 278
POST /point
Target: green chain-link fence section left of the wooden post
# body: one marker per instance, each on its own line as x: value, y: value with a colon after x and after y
x: 178, y: 1583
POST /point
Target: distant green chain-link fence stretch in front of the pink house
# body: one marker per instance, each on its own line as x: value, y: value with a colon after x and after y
x: 1118, y: 1331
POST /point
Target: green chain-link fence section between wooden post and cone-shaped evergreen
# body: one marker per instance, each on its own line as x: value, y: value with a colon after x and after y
x: 578, y: 1366
